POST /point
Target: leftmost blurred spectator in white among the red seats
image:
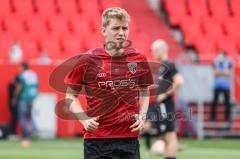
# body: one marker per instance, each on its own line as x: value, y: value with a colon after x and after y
x: 15, y: 53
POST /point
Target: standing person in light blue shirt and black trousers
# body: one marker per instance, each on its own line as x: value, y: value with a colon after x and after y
x: 222, y: 83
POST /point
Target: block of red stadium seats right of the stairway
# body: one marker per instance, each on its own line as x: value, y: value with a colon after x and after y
x: 206, y: 26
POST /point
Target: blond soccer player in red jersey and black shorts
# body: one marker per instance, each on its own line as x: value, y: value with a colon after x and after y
x: 116, y: 78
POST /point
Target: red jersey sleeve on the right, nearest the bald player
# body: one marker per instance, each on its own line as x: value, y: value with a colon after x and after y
x: 146, y: 78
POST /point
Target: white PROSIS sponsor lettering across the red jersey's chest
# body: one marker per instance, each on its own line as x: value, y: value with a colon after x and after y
x: 130, y: 83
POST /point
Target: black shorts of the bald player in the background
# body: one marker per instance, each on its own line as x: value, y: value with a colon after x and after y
x: 162, y: 116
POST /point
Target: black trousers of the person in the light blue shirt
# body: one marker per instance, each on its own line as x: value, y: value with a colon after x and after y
x: 226, y: 93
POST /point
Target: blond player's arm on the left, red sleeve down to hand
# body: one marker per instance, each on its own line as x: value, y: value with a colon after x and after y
x: 84, y: 71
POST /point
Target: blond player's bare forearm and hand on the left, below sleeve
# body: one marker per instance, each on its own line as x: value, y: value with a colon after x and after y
x: 89, y: 124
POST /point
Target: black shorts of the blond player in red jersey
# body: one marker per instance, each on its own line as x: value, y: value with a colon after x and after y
x: 111, y: 148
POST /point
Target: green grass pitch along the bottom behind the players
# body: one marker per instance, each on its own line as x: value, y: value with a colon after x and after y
x: 73, y: 149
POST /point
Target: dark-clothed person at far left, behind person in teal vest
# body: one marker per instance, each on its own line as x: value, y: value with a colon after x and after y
x: 12, y: 106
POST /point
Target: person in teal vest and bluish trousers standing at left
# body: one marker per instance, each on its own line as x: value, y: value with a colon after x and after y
x: 26, y: 90
